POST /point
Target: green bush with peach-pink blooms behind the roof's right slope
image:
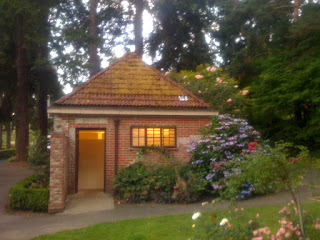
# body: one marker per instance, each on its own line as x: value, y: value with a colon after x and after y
x: 214, y: 86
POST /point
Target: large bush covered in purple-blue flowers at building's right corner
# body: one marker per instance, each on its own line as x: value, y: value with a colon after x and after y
x: 226, y: 140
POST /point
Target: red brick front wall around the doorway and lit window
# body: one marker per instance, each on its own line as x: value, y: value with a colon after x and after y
x: 186, y: 130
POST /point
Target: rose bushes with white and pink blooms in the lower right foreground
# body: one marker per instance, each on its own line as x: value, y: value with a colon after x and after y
x: 236, y: 225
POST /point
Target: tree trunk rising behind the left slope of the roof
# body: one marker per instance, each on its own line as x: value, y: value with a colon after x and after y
x: 93, y: 46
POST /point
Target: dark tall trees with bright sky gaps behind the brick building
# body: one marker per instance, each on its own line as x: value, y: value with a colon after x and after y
x: 256, y: 40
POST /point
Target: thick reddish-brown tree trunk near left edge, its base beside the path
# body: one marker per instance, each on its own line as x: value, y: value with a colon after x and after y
x: 22, y: 118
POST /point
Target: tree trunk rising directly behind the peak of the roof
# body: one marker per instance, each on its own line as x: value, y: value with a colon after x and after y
x: 138, y: 27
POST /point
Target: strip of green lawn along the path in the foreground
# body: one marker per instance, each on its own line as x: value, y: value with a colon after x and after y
x: 167, y: 227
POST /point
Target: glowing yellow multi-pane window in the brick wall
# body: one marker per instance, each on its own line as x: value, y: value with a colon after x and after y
x: 149, y: 136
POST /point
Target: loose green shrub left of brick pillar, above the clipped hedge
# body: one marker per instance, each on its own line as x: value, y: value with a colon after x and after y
x: 39, y: 159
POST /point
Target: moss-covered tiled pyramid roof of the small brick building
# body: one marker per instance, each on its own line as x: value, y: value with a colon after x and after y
x: 130, y: 82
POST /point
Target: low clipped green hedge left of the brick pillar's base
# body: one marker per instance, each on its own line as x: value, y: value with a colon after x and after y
x: 31, y: 194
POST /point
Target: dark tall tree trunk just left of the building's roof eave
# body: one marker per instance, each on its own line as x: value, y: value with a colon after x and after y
x: 43, y: 76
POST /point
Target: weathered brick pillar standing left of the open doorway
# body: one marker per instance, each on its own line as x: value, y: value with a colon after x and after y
x: 58, y: 172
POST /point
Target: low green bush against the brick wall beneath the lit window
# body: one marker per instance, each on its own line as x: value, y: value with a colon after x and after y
x: 158, y: 183
